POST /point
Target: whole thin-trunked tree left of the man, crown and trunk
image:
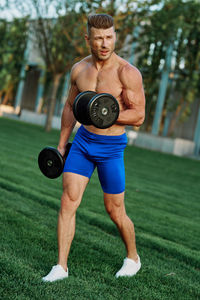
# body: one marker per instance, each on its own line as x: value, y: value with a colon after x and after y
x: 56, y: 39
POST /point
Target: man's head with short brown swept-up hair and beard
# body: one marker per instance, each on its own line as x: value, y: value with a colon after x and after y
x: 101, y: 36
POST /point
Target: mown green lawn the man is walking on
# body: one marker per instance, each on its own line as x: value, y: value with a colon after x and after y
x: 162, y: 199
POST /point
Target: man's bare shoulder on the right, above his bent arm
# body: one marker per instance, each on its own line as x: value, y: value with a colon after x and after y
x: 129, y: 74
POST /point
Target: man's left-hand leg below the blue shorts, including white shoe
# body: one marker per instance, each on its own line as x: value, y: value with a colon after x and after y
x: 73, y: 188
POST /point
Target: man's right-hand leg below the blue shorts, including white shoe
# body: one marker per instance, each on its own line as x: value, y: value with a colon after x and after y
x: 115, y: 207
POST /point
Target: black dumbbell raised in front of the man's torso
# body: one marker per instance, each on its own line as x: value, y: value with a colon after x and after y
x: 100, y: 110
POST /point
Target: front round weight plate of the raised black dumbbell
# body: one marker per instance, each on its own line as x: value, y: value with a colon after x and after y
x: 103, y: 110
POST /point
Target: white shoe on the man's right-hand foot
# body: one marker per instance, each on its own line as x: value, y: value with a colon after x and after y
x: 129, y: 268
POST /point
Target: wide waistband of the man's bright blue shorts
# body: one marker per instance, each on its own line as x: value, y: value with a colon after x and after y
x: 102, y: 138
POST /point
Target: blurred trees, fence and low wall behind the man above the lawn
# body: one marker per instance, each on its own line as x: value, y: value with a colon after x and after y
x: 41, y: 40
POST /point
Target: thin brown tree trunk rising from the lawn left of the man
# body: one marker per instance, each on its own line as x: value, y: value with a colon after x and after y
x: 52, y: 104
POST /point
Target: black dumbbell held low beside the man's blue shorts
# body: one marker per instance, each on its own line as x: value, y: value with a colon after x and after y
x: 51, y: 162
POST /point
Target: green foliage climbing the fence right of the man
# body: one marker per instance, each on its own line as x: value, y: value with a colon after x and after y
x: 177, y: 22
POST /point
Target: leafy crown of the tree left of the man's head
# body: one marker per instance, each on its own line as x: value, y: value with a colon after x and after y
x: 59, y: 42
